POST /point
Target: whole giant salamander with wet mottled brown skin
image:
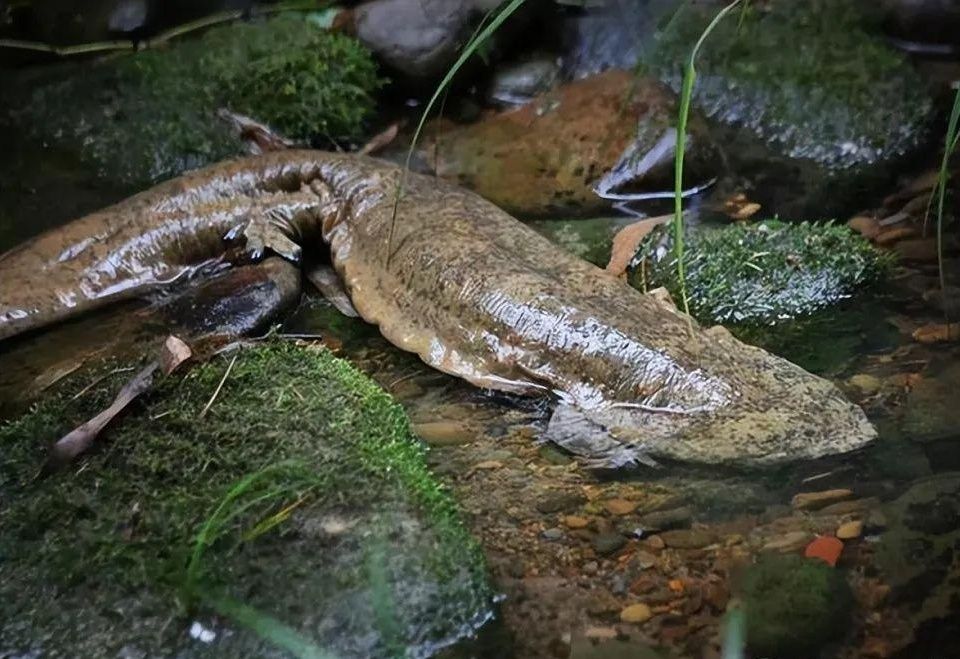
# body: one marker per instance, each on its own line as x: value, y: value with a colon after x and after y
x: 470, y: 290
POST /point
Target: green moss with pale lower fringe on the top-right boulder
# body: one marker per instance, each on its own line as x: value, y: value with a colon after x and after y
x: 814, y: 78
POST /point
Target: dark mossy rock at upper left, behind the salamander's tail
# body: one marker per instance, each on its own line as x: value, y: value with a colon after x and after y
x: 143, y: 117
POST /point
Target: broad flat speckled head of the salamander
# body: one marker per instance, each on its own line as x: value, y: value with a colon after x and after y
x: 775, y: 412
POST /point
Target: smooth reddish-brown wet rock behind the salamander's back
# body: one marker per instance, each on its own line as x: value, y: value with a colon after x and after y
x: 546, y: 156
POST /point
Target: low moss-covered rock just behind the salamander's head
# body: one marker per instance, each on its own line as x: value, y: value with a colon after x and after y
x: 760, y: 273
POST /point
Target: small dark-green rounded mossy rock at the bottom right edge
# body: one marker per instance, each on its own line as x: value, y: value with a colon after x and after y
x: 793, y: 605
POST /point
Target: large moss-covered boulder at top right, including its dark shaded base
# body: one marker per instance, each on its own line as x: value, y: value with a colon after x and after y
x: 816, y: 84
